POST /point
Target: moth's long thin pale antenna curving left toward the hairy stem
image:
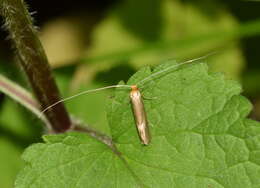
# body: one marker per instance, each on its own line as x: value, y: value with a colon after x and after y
x: 82, y: 93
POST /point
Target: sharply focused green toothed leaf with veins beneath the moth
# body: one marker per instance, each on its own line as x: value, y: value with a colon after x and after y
x: 200, y: 138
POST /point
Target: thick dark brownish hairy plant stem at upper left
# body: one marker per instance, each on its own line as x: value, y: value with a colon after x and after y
x: 34, y: 61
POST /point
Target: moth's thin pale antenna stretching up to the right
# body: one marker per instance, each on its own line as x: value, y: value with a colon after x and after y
x: 176, y: 66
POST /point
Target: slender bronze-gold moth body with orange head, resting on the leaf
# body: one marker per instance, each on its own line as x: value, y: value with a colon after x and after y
x: 139, y: 115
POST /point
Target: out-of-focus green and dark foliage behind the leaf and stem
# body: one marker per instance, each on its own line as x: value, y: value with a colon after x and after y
x: 91, y: 44
